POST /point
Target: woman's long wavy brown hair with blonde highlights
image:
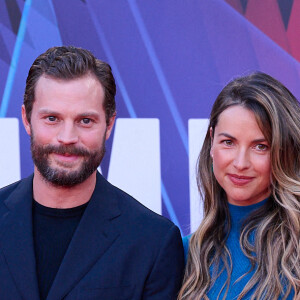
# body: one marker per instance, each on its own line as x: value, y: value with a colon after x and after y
x: 275, y: 254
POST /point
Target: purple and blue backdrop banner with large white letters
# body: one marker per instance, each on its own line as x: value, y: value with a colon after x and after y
x: 170, y: 60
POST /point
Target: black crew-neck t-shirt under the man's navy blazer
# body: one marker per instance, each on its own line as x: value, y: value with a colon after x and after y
x: 53, y: 229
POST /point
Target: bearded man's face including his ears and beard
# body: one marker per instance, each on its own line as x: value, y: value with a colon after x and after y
x: 68, y: 129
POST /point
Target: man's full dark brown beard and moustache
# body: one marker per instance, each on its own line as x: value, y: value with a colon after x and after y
x: 61, y: 176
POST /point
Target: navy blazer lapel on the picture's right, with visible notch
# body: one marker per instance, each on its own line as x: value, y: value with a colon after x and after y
x: 92, y: 238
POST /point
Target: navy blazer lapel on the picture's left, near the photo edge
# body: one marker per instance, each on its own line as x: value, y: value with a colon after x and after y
x: 16, y: 240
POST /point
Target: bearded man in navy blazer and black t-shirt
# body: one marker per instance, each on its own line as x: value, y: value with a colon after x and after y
x: 65, y: 232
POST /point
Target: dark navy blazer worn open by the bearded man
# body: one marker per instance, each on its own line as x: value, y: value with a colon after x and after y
x: 120, y: 250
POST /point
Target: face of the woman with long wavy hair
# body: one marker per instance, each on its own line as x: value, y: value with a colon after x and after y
x: 241, y: 157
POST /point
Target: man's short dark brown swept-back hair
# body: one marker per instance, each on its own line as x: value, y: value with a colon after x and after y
x: 68, y: 62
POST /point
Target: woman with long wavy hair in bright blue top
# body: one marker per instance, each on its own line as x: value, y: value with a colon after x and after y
x: 248, y: 244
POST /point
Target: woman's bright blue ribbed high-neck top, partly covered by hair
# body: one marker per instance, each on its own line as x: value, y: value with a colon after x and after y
x: 240, y: 263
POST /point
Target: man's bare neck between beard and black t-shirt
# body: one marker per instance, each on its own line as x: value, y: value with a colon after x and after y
x: 54, y: 196
